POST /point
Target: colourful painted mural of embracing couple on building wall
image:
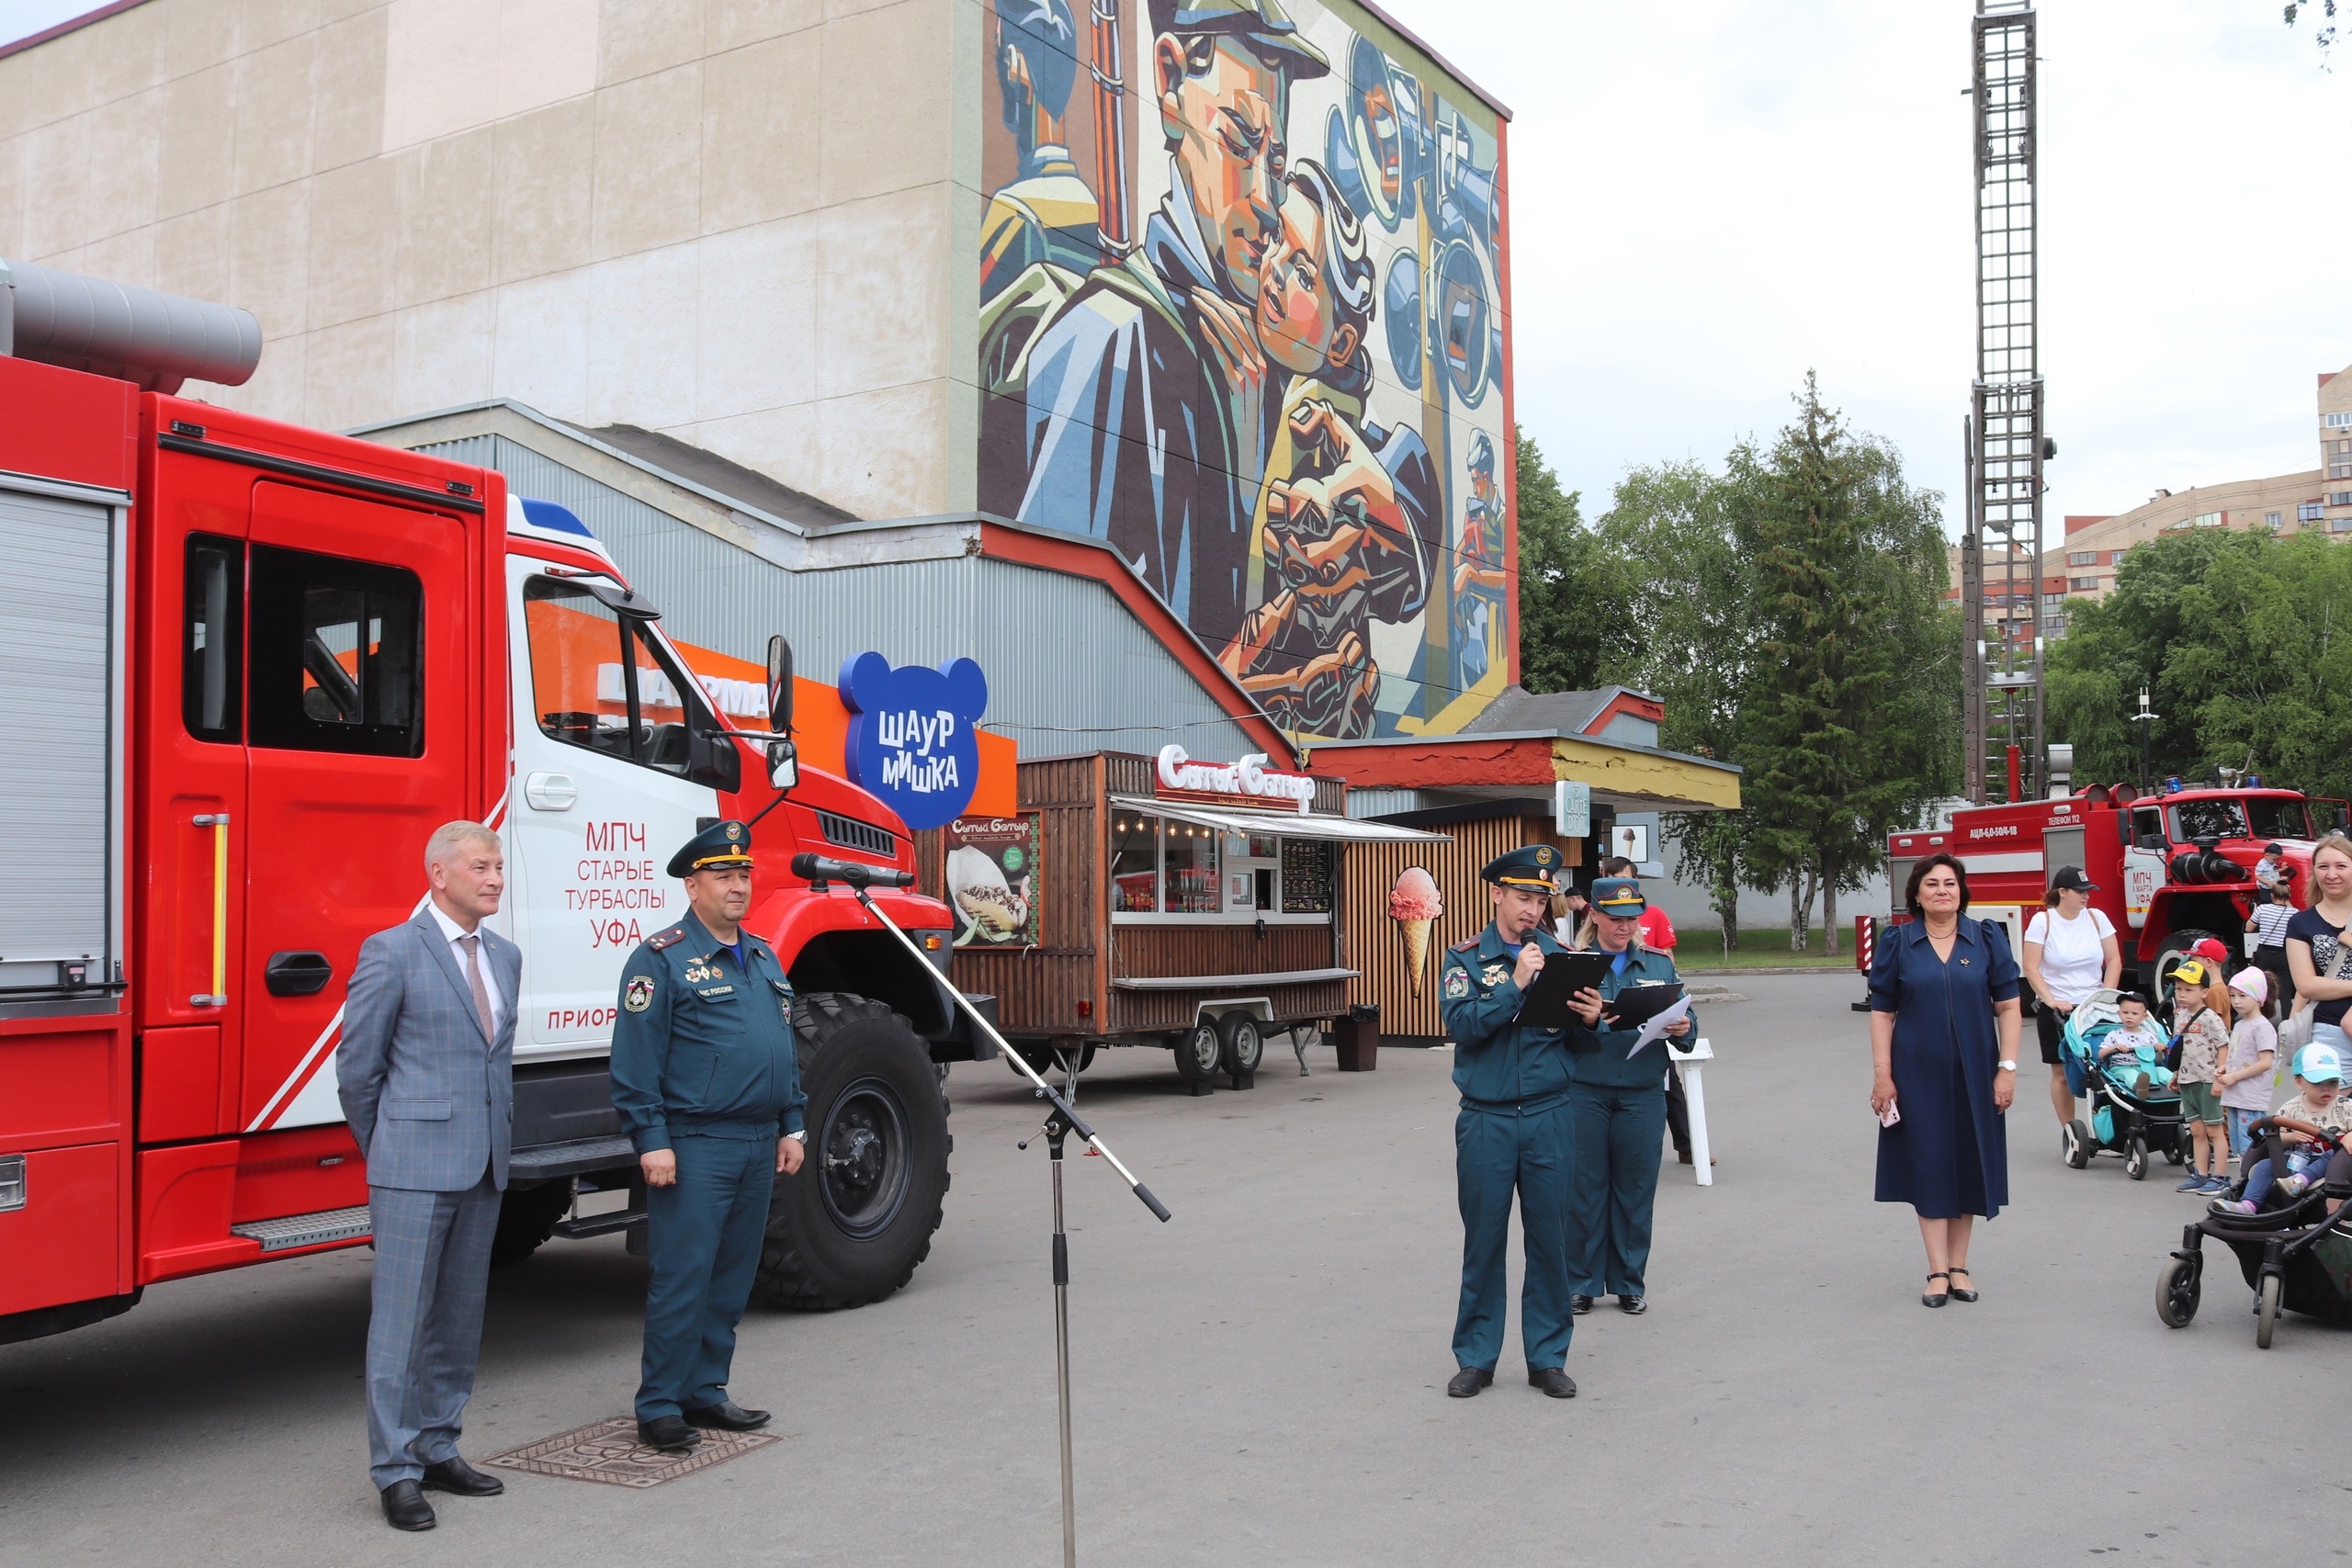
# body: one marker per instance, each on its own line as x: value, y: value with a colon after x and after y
x: 1243, y: 319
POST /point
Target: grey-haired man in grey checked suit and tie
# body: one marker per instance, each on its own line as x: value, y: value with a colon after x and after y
x: 427, y: 1073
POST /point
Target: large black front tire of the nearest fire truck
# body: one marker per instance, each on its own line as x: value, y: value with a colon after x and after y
x: 860, y: 1217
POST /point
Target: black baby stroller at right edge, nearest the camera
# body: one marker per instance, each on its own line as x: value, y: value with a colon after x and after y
x: 2297, y: 1254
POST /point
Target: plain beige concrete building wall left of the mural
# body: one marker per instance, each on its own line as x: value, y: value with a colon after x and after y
x: 721, y: 220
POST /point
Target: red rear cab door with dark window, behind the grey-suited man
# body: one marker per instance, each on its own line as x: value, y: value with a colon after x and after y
x: 361, y: 739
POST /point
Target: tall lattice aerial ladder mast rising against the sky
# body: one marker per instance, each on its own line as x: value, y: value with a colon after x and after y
x: 2005, y: 441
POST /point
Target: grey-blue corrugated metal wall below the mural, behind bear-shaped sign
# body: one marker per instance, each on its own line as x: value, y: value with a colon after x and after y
x: 1069, y: 666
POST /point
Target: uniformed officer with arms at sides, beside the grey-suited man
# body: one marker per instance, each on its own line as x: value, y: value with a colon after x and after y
x: 707, y: 1080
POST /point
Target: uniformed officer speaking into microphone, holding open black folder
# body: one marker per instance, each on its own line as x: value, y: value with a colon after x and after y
x: 1514, y: 1132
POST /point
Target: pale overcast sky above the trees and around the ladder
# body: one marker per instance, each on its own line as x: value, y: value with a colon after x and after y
x: 1713, y: 196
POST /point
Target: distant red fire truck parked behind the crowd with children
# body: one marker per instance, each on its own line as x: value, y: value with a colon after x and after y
x: 2170, y: 869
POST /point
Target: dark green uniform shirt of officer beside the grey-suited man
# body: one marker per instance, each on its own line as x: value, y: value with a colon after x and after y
x: 704, y: 1045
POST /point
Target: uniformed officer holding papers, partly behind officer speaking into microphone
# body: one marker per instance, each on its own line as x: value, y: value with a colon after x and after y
x: 1617, y: 1104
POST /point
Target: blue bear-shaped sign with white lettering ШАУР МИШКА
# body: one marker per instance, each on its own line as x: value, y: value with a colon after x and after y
x: 914, y: 735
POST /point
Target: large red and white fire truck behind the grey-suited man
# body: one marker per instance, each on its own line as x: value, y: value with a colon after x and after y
x: 253, y: 666
